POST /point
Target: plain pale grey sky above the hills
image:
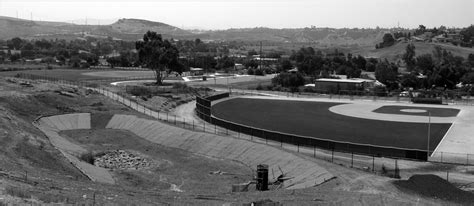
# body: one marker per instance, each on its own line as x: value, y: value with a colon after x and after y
x: 213, y: 14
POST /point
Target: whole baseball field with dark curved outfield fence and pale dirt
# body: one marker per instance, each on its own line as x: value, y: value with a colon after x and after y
x: 373, y: 128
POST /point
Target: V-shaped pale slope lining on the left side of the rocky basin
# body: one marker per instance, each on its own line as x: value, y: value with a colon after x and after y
x: 52, y: 125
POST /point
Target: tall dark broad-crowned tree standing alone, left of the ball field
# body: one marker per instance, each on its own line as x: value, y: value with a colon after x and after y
x: 158, y: 55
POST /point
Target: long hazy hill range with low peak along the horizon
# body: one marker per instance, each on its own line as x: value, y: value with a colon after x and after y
x: 133, y: 29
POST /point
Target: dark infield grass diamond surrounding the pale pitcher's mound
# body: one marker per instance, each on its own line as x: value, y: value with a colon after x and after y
x: 435, y: 112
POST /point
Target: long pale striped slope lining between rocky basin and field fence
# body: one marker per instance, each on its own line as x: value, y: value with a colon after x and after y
x: 305, y: 172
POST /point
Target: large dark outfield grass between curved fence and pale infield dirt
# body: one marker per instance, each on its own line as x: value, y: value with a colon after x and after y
x: 313, y: 119
